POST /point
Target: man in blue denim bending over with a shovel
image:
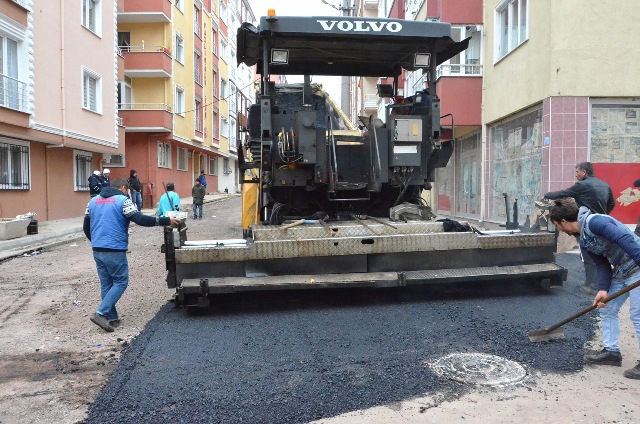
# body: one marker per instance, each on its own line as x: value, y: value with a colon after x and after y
x: 615, y: 250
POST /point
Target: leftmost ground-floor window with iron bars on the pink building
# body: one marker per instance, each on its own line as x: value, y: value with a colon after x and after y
x: 14, y: 166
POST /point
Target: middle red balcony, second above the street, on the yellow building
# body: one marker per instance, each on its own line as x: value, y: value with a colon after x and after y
x: 147, y: 61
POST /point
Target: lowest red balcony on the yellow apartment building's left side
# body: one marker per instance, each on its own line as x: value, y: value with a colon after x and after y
x: 146, y: 117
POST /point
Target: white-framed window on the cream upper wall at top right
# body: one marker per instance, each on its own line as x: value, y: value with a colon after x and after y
x: 511, y: 21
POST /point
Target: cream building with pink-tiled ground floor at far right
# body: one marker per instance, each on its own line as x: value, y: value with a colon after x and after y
x: 560, y: 87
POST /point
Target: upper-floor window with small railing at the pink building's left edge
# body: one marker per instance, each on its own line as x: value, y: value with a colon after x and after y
x: 12, y: 91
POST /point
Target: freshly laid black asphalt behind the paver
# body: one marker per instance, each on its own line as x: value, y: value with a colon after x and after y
x: 295, y: 357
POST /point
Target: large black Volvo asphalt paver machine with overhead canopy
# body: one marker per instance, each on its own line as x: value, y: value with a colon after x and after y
x: 330, y: 204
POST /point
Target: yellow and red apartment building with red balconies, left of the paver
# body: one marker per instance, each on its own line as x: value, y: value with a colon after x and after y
x: 177, y: 101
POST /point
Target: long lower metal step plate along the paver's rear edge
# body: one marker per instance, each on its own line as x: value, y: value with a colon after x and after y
x: 213, y: 285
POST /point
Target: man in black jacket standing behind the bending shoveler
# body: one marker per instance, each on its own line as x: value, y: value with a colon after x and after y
x: 596, y: 195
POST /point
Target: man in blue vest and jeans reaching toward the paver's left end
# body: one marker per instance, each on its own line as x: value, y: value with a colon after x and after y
x: 106, y: 225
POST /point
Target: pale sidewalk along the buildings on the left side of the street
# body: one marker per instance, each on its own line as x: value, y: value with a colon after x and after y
x: 57, y: 231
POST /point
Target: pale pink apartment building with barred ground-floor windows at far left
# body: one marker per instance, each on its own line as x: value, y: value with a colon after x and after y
x: 58, y: 117
